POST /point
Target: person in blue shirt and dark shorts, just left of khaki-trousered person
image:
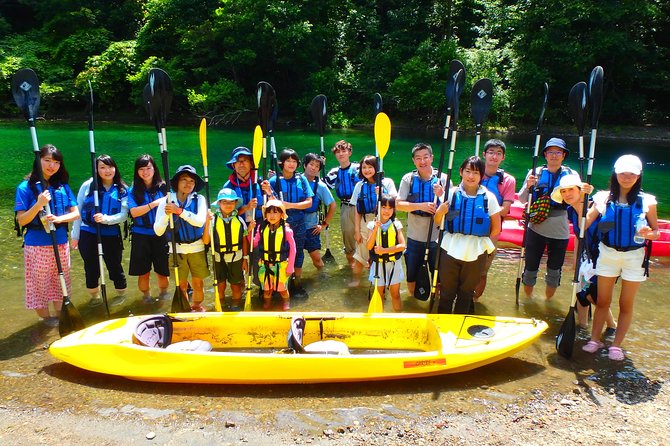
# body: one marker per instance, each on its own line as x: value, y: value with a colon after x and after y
x: 313, y: 163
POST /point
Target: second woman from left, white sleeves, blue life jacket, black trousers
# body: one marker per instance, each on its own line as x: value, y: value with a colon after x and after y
x: 113, y: 199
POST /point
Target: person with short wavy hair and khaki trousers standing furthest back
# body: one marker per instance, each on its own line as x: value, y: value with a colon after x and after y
x: 343, y: 179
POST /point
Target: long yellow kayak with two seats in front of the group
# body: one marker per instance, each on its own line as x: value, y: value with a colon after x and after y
x: 268, y: 347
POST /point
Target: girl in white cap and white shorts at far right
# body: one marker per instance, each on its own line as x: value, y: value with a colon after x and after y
x: 628, y: 219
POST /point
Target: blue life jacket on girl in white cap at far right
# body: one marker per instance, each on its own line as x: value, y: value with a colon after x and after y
x: 617, y: 225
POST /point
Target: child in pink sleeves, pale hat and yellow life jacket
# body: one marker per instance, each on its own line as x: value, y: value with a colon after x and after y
x: 277, y: 250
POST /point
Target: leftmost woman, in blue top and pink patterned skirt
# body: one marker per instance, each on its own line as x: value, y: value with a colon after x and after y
x: 41, y: 274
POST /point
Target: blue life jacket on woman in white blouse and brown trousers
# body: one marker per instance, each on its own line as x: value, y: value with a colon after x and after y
x: 469, y: 216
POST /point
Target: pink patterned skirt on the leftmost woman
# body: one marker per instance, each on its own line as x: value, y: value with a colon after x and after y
x: 41, y: 278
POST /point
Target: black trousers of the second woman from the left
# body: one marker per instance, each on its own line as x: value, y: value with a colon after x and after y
x: 112, y: 248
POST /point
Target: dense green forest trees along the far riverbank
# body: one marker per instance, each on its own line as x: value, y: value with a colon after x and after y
x: 217, y: 50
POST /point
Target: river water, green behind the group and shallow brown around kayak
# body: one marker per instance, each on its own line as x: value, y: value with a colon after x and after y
x: 29, y: 375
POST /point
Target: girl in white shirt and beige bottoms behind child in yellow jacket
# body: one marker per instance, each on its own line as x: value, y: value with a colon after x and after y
x: 365, y: 199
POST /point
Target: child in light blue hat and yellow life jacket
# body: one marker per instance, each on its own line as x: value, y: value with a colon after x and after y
x: 229, y: 245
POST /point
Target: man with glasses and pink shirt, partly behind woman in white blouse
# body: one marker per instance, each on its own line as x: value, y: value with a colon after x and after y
x: 503, y: 186
